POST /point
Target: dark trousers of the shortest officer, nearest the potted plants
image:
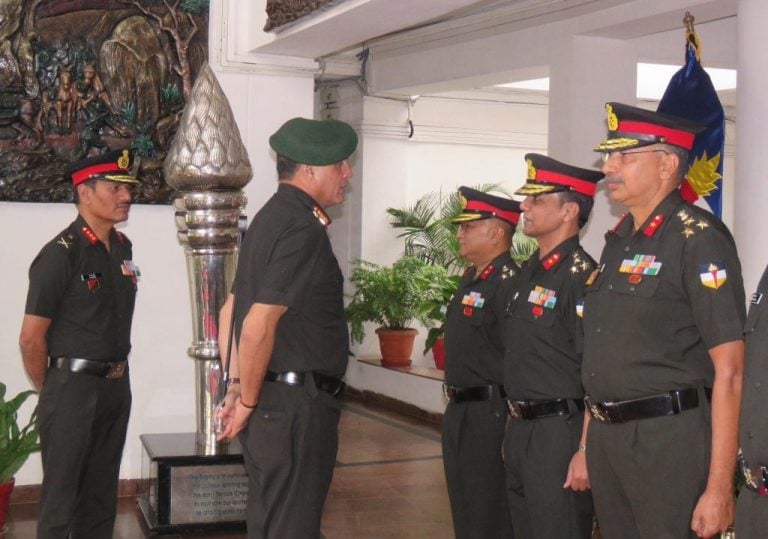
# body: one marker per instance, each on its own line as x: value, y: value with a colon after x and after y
x: 473, y: 433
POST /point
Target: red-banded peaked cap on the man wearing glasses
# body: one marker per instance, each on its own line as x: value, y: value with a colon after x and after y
x: 633, y: 127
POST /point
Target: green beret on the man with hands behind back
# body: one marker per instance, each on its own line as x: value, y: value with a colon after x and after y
x: 314, y: 142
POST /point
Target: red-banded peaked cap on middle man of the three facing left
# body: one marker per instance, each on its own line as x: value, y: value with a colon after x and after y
x: 546, y: 175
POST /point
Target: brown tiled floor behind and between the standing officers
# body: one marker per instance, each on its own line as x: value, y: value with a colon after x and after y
x: 388, y: 483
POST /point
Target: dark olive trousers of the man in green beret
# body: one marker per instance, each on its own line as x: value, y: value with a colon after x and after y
x: 289, y: 448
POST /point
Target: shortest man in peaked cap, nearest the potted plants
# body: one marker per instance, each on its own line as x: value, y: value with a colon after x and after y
x: 473, y: 425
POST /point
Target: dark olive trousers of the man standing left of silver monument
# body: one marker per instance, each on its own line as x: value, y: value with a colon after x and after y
x: 83, y: 423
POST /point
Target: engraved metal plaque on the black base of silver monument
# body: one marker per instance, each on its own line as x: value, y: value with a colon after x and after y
x: 208, y: 493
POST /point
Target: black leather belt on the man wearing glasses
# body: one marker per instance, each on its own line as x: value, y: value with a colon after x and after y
x: 666, y: 404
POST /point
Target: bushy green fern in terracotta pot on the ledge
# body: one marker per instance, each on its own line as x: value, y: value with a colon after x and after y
x: 394, y: 296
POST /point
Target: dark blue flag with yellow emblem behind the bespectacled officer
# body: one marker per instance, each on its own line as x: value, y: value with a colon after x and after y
x: 690, y: 94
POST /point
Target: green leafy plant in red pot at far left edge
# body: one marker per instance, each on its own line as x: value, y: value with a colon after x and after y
x: 16, y: 443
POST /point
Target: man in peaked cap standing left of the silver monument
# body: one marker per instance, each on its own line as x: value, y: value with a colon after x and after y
x: 75, y: 340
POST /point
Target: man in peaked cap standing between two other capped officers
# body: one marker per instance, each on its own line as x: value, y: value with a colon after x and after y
x: 544, y: 444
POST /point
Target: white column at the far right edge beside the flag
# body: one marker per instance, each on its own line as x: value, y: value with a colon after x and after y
x: 751, y: 187
